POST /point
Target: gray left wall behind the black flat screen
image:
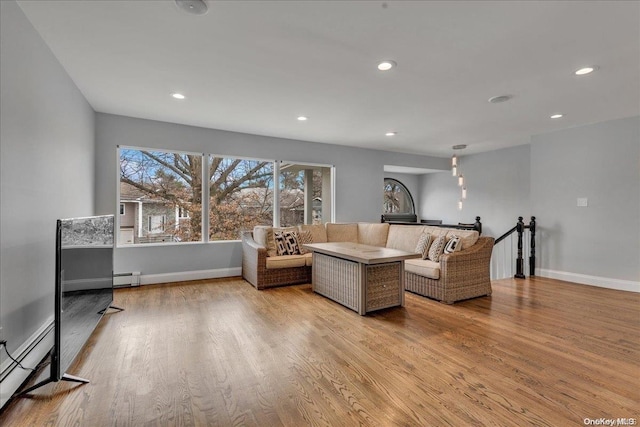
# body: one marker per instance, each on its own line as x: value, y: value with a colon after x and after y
x: 47, y: 172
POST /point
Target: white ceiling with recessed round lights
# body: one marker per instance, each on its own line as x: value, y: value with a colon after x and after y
x: 253, y: 67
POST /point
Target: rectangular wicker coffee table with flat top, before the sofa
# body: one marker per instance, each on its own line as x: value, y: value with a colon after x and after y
x: 360, y: 277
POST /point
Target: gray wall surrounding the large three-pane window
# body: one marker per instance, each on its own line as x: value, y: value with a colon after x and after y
x: 358, y: 182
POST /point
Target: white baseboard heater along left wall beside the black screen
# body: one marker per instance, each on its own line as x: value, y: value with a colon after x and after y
x: 29, y: 354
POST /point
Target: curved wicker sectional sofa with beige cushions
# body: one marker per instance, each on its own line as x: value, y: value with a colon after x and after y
x: 455, y: 276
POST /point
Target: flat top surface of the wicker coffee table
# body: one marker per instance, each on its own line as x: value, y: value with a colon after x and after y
x: 363, y: 254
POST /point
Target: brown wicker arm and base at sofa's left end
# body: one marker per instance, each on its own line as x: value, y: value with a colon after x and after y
x: 255, y: 271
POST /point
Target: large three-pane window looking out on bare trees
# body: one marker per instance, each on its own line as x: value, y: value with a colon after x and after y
x: 163, y: 192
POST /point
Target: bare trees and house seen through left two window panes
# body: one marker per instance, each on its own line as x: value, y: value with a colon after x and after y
x: 158, y: 184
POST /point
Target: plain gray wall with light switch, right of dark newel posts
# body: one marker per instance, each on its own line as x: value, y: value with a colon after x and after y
x: 602, y: 163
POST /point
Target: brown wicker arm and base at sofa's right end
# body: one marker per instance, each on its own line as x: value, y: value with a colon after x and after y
x: 463, y: 275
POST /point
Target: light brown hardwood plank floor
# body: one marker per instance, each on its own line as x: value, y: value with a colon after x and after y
x: 220, y: 353
